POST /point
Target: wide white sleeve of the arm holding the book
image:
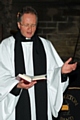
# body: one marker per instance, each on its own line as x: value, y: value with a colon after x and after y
x: 7, y: 82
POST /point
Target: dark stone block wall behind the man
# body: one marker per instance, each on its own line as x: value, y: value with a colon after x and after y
x: 58, y: 22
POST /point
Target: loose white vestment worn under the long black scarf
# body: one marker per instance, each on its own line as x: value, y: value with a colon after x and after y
x: 55, y: 87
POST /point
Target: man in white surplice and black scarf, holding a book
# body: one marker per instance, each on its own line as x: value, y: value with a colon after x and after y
x: 29, y: 54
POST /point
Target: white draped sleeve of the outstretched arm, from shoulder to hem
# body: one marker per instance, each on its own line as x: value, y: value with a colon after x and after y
x: 56, y: 82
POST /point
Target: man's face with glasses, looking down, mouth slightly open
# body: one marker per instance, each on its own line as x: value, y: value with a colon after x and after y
x: 28, y: 25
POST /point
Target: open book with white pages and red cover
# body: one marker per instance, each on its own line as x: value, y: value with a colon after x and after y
x: 28, y: 78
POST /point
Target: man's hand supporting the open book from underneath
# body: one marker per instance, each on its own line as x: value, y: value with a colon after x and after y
x: 22, y: 85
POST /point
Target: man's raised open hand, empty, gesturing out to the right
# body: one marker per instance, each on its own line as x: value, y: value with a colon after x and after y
x: 67, y: 68
